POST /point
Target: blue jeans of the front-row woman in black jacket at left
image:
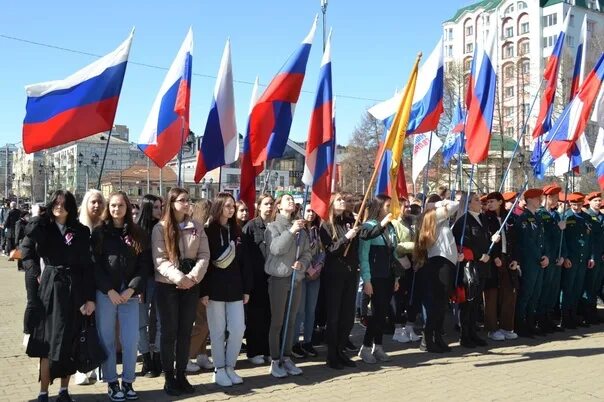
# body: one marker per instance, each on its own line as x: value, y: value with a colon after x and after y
x: 127, y: 315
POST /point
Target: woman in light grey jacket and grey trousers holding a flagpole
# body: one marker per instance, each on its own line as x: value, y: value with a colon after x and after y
x: 288, y: 254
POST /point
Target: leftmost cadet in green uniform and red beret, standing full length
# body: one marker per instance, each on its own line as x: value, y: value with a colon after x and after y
x: 533, y: 258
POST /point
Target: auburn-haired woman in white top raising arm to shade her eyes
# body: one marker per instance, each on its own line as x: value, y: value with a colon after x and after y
x: 436, y: 254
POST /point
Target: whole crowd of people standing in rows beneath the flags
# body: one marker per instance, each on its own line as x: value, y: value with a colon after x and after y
x: 164, y: 278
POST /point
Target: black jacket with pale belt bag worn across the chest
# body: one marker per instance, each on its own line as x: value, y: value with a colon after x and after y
x: 230, y: 283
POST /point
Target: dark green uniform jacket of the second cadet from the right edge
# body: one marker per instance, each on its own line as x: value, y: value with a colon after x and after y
x: 578, y: 236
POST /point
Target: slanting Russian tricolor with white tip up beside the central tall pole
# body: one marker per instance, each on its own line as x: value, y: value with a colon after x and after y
x: 272, y: 115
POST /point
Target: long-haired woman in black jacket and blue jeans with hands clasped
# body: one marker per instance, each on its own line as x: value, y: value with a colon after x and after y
x: 121, y: 260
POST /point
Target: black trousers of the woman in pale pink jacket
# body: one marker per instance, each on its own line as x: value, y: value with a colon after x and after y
x: 177, y: 310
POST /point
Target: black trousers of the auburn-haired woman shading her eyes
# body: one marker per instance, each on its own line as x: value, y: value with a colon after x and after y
x: 436, y: 278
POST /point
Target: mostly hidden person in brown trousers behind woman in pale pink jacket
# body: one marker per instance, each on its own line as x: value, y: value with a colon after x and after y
x: 200, y: 333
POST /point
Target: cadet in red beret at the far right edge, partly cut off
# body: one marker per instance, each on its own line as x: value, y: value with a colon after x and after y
x: 594, y: 276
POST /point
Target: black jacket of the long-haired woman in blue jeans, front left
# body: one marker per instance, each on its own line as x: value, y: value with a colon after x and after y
x: 116, y: 264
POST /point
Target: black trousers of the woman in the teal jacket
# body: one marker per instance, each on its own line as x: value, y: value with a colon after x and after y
x: 380, y: 305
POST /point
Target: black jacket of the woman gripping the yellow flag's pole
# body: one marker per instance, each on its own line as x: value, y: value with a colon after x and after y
x: 335, y: 261
